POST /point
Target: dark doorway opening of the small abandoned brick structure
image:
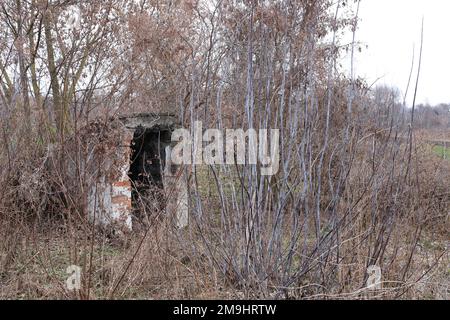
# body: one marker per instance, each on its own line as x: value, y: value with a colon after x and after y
x: 147, y: 170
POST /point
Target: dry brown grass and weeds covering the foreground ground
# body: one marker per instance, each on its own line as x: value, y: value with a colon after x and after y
x: 165, y: 263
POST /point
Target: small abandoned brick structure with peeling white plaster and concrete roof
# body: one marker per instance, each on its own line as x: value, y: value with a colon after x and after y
x: 134, y: 176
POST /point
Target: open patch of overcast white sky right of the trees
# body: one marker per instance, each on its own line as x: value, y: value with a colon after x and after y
x: 390, y: 28
